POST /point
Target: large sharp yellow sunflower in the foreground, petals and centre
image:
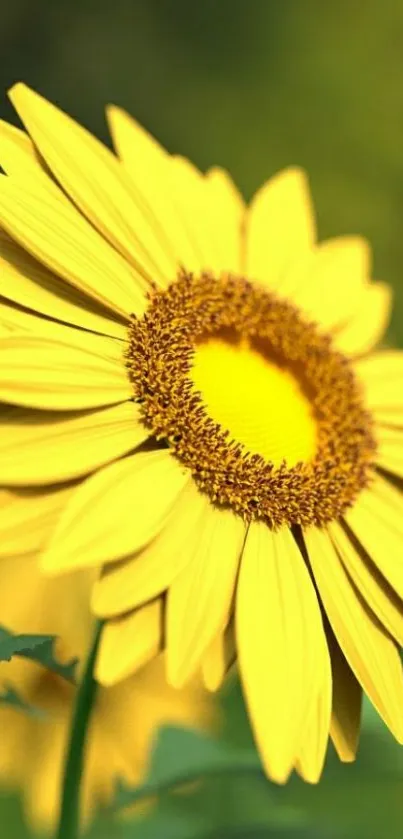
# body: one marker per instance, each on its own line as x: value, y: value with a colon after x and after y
x: 193, y: 380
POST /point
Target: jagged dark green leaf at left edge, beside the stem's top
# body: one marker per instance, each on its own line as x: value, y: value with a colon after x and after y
x: 39, y: 648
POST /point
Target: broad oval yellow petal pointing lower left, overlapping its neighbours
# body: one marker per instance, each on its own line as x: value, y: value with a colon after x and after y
x: 116, y: 511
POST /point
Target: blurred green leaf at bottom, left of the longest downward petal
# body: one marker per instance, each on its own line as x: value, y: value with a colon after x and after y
x: 181, y: 756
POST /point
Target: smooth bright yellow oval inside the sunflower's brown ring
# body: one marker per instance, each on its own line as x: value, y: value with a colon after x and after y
x: 259, y: 403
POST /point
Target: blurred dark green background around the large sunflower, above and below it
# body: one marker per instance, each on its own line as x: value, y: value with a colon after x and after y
x: 252, y: 85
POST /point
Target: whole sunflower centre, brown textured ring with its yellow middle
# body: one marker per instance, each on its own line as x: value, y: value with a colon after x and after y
x: 253, y: 400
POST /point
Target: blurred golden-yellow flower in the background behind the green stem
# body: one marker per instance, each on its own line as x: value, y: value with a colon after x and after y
x: 125, y: 719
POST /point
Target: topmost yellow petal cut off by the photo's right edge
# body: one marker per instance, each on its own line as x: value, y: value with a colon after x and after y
x: 381, y: 374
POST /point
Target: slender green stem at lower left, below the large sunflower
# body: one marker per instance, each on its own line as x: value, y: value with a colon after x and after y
x: 69, y: 821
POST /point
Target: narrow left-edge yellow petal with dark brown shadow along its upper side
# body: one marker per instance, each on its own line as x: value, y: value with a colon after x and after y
x: 25, y: 281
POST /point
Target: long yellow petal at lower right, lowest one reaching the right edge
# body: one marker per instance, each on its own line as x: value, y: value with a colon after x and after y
x: 369, y: 650
